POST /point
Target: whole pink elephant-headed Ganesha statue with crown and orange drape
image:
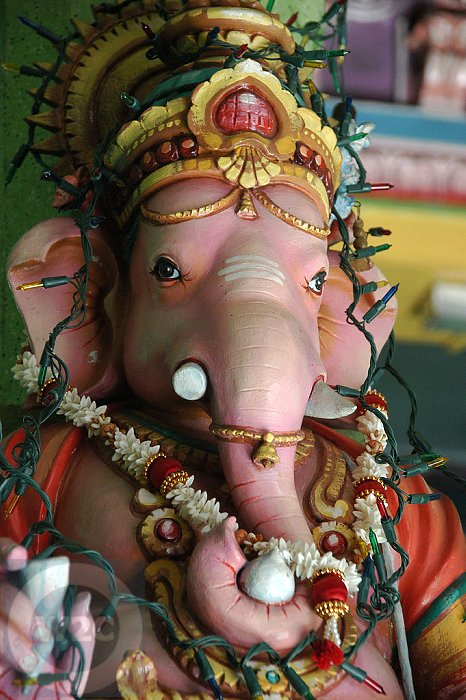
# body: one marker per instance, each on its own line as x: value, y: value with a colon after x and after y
x: 206, y: 335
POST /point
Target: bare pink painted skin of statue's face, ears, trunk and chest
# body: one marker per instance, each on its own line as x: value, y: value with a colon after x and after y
x: 264, y: 339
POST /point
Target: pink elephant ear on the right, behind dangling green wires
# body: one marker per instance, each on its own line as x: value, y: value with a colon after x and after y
x: 344, y: 350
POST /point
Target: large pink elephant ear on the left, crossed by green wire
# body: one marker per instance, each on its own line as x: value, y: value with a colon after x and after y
x: 53, y: 248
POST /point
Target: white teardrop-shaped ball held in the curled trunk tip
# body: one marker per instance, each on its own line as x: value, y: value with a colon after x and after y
x: 268, y: 579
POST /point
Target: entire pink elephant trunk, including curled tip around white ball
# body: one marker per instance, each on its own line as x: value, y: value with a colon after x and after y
x: 261, y: 378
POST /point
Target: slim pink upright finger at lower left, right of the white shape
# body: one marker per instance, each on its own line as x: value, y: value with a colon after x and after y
x: 82, y: 627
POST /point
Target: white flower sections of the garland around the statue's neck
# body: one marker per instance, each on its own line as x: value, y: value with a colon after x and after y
x: 194, y: 506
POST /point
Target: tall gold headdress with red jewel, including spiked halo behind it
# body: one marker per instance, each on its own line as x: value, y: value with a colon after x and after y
x: 199, y: 90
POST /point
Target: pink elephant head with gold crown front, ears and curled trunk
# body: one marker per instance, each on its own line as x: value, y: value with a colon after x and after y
x: 231, y: 311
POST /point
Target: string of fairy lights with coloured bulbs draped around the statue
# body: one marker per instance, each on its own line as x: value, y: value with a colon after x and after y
x: 378, y: 593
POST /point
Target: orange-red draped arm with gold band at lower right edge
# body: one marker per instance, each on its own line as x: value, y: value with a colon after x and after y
x: 433, y: 593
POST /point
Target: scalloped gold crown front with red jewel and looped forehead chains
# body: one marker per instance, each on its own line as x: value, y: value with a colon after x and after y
x: 241, y: 127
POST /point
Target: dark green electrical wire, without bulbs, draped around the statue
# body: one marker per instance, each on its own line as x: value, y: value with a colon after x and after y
x: 384, y: 595
